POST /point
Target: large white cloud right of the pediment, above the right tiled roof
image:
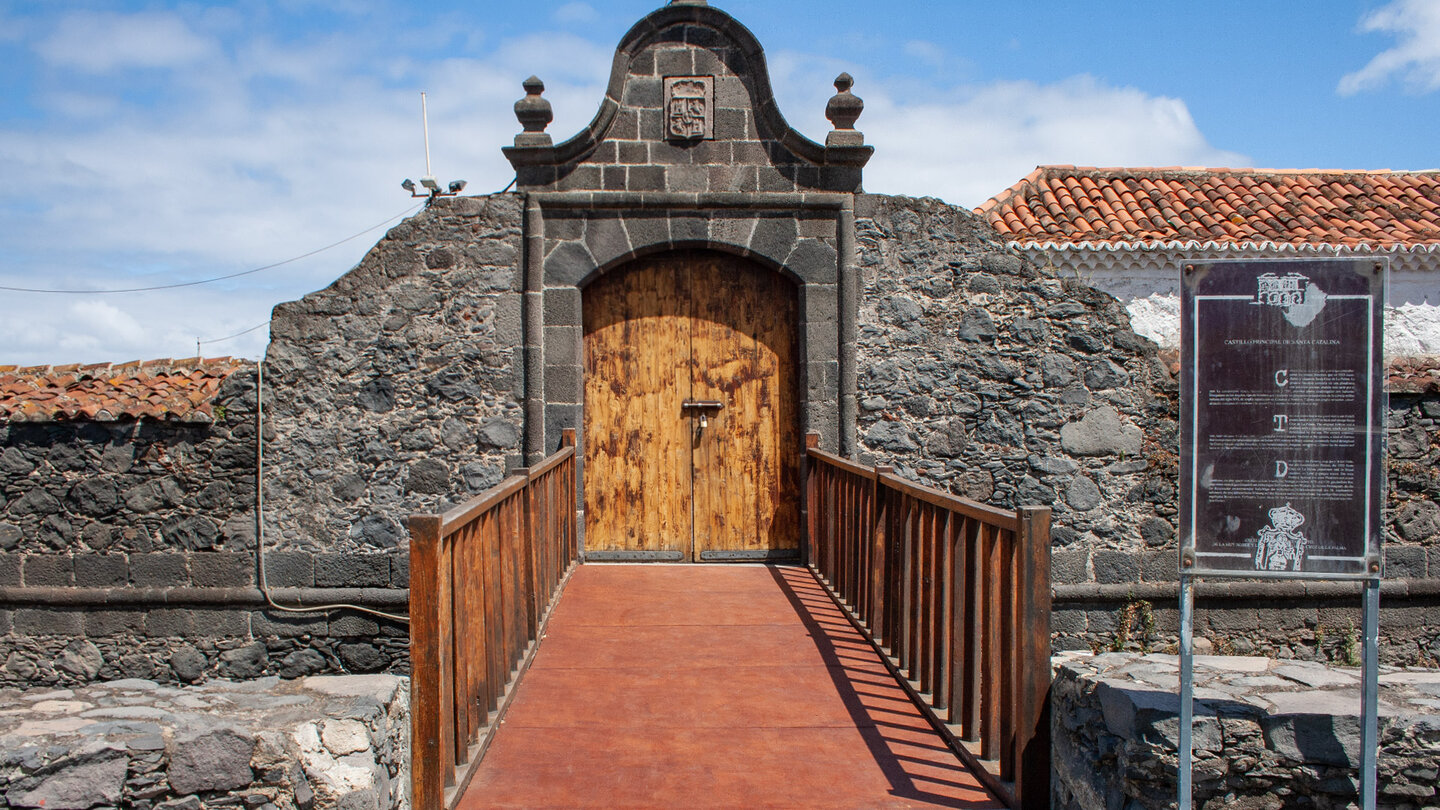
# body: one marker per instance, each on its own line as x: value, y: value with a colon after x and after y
x: 970, y: 143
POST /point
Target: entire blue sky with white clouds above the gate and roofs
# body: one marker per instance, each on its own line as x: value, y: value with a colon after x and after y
x: 158, y: 143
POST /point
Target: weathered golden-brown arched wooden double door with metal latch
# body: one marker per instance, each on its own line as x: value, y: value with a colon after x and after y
x: 692, y: 419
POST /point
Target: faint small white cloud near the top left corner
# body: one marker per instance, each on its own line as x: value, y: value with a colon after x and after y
x: 103, y: 43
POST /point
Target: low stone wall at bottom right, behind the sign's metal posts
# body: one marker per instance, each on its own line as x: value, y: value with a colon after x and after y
x: 1268, y: 733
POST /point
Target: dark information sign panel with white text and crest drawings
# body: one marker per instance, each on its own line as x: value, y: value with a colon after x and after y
x: 1282, y: 417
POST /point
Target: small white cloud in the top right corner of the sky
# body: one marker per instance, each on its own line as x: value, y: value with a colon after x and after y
x: 1415, y: 60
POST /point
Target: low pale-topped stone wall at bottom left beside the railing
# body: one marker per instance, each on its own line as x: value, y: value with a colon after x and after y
x: 323, y: 743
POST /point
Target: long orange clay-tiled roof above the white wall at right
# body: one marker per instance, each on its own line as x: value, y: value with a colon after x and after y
x: 1068, y: 205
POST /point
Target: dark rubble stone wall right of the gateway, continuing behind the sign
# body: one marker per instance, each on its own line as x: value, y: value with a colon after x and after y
x: 1000, y: 381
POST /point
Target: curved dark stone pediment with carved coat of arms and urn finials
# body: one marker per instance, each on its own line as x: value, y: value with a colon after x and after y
x: 689, y: 109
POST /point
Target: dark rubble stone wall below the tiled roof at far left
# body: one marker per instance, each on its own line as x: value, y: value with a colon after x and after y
x: 112, y: 494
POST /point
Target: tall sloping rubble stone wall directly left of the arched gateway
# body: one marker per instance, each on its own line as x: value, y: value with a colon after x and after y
x: 397, y: 390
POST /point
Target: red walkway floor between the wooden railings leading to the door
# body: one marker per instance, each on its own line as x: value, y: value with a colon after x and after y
x: 712, y: 687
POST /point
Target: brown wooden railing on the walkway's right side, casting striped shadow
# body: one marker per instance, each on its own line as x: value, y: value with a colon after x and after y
x: 957, y: 596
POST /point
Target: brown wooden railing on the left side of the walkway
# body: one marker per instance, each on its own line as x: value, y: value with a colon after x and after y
x: 483, y: 579
